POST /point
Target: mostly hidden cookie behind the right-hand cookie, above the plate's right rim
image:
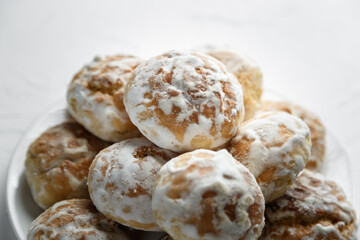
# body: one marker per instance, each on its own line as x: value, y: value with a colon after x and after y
x: 317, y: 129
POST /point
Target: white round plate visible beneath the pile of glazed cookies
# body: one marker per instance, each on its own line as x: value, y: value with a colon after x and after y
x: 23, y: 210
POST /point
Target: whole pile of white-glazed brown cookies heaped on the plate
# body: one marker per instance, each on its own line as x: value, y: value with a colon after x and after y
x: 182, y: 143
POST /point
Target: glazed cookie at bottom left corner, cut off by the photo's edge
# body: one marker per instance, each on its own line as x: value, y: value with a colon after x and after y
x: 74, y: 219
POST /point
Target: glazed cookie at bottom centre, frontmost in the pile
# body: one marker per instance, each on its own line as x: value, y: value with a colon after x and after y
x: 208, y: 195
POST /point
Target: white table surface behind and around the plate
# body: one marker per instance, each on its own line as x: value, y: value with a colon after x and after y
x: 309, y: 51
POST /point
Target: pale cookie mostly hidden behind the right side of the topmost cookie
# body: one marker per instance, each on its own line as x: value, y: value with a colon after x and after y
x: 248, y: 74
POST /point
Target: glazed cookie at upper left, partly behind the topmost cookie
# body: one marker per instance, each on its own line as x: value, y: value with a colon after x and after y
x: 95, y: 97
